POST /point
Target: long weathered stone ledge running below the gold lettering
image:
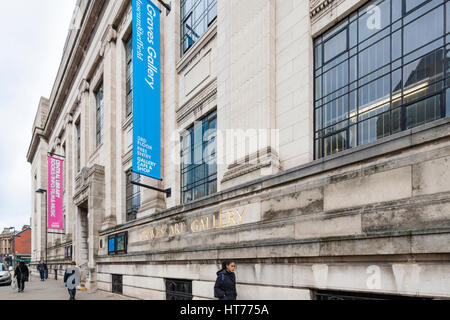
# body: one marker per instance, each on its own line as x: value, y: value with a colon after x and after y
x: 369, y: 245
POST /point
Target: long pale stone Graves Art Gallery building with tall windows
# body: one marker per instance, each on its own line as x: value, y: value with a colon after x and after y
x: 307, y: 140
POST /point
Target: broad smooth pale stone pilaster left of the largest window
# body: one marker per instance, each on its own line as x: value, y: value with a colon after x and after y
x: 246, y: 43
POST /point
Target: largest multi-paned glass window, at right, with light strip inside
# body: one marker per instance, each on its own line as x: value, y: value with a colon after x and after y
x: 381, y: 71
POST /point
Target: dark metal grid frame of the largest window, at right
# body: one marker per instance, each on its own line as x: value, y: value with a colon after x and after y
x: 320, y: 134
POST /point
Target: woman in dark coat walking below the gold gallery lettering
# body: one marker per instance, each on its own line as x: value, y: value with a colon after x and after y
x: 225, y: 287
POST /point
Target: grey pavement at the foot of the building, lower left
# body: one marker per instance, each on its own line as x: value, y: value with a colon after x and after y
x: 52, y: 290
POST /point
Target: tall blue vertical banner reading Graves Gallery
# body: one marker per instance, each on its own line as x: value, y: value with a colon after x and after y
x: 146, y: 89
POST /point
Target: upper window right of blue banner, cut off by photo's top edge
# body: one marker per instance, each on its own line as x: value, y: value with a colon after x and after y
x: 196, y: 16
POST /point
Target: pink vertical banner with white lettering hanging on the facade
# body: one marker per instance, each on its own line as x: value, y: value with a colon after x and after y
x: 55, y: 193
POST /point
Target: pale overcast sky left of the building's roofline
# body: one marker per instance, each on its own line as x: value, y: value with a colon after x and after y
x: 33, y: 34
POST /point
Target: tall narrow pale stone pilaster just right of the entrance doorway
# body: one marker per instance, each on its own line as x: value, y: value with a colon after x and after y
x: 108, y: 52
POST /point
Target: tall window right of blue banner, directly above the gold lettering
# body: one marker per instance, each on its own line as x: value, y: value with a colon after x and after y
x: 199, y: 159
